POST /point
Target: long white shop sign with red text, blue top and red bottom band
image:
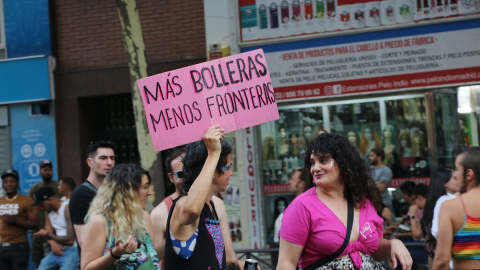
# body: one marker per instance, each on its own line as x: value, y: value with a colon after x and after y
x: 409, y: 59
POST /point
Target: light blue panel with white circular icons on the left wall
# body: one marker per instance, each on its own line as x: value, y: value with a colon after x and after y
x: 33, y: 140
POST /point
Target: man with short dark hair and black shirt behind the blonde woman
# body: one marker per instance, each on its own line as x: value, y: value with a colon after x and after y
x: 100, y: 159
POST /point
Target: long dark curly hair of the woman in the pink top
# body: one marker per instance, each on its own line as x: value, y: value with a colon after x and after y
x: 354, y: 172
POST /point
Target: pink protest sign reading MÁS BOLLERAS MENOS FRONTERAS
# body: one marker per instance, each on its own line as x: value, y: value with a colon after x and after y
x: 234, y: 92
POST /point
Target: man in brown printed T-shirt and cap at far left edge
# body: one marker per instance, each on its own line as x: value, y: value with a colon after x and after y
x: 17, y: 216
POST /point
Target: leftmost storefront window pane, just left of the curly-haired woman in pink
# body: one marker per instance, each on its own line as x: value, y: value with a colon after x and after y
x: 283, y: 144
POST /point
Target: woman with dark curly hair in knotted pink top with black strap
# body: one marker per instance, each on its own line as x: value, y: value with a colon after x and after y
x: 314, y: 224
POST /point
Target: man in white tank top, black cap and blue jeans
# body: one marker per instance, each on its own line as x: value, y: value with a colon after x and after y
x: 58, y: 231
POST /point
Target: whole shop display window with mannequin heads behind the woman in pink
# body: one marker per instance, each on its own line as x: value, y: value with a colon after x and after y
x: 397, y: 124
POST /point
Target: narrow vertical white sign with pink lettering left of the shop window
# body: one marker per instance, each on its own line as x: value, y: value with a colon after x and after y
x: 252, y: 190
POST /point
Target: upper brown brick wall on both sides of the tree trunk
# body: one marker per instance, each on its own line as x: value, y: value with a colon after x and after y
x: 87, y: 34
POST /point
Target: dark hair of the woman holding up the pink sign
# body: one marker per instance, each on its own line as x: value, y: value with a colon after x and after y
x: 195, y: 157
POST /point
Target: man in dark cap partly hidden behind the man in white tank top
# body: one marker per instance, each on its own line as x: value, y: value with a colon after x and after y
x: 38, y: 244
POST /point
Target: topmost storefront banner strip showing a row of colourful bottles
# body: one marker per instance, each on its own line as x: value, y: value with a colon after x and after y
x: 277, y: 19
